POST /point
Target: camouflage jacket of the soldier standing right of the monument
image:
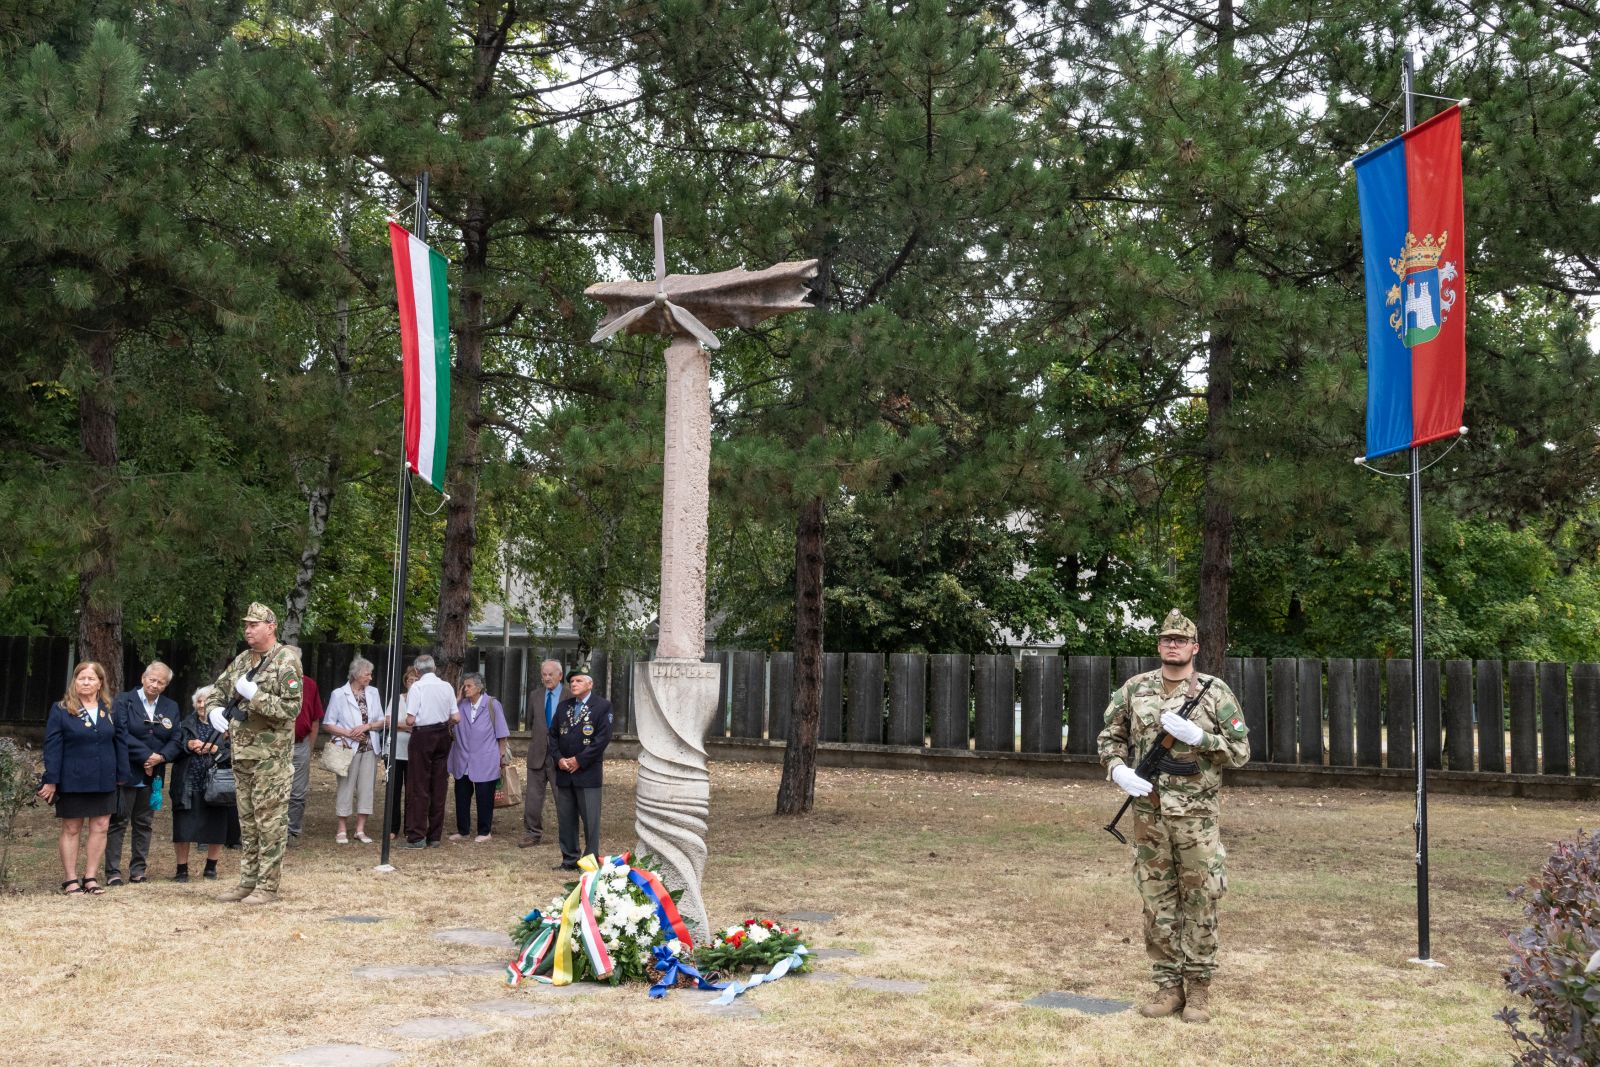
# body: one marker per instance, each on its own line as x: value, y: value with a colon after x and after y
x: 1134, y: 722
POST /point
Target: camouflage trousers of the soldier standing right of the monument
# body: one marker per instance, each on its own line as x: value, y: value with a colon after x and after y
x: 1180, y: 868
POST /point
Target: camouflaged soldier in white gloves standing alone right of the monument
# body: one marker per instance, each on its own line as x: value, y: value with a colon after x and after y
x: 1178, y: 860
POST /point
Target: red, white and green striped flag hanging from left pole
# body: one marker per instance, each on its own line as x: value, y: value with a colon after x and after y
x: 425, y: 353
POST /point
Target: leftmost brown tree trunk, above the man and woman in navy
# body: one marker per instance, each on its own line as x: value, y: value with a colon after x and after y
x: 100, y: 613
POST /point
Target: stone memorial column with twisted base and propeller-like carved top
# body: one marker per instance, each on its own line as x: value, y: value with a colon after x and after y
x: 676, y: 693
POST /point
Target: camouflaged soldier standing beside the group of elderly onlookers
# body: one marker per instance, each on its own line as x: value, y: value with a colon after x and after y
x: 266, y: 681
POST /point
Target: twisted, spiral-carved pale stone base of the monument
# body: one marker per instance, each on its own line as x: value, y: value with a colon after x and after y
x: 674, y: 705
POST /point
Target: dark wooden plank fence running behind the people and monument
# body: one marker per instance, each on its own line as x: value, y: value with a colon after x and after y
x: 1481, y: 716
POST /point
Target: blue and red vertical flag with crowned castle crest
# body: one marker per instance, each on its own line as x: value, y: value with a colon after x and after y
x: 1414, y: 242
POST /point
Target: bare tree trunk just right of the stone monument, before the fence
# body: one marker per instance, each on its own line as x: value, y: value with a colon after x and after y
x: 798, y: 789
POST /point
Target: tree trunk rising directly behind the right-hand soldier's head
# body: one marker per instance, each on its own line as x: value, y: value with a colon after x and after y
x: 1217, y: 524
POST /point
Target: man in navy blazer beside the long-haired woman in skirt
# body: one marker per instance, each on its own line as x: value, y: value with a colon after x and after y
x: 151, y: 724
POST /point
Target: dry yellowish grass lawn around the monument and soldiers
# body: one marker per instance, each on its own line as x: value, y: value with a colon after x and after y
x: 988, y: 890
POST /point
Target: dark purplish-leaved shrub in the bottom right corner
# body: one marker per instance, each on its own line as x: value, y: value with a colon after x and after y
x: 1556, y: 961
